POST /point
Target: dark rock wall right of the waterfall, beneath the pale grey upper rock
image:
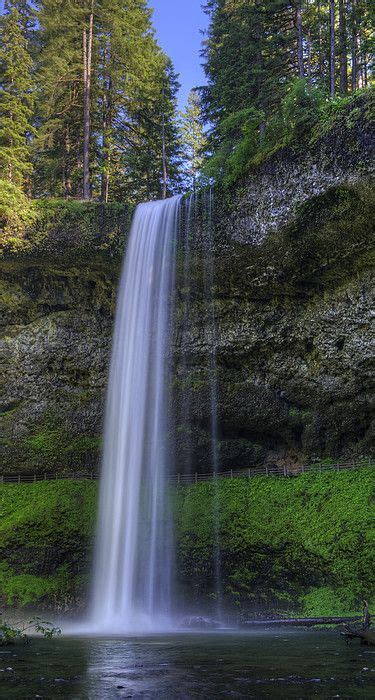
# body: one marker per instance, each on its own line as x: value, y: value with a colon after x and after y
x: 293, y: 340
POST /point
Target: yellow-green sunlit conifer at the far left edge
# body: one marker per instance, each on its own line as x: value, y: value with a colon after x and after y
x: 16, y: 98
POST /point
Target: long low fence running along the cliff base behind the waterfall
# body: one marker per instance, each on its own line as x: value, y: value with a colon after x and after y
x: 195, y: 478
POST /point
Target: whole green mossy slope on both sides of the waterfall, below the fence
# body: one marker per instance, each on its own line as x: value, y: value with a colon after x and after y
x: 301, y: 543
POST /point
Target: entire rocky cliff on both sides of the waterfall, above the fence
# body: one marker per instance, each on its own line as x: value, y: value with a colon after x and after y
x: 291, y: 297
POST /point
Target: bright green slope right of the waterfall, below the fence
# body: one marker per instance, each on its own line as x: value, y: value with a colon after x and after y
x: 304, y: 544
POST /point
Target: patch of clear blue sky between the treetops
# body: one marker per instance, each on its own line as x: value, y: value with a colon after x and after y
x: 178, y: 24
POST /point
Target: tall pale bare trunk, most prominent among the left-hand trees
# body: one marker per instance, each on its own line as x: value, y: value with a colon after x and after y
x: 87, y: 66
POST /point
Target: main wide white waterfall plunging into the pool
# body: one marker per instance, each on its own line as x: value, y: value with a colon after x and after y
x: 133, y: 559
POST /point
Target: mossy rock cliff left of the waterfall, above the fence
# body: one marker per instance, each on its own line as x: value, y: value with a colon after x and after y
x: 57, y: 298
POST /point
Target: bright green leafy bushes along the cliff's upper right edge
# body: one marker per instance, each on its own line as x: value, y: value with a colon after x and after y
x: 247, y: 137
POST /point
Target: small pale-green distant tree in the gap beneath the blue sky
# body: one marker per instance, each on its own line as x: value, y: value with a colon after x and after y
x: 194, y: 139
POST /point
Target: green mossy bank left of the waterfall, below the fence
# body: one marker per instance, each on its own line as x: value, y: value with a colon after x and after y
x: 46, y: 532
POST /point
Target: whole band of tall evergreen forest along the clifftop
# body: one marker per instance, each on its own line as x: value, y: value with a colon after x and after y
x: 88, y: 100
